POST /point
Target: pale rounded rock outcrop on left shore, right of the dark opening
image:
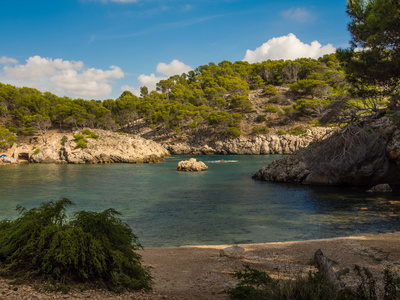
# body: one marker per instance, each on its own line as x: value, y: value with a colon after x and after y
x: 110, y: 147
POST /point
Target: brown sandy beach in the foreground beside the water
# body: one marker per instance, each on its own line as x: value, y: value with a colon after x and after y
x: 199, y: 272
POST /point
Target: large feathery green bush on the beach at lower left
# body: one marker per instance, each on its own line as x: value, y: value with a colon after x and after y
x: 91, y: 248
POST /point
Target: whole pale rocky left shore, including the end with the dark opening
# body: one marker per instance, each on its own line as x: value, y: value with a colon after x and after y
x: 109, y: 147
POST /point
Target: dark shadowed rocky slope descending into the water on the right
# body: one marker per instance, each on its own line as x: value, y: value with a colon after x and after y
x: 356, y: 156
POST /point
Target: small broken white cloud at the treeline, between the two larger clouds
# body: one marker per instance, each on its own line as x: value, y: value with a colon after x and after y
x: 175, y: 67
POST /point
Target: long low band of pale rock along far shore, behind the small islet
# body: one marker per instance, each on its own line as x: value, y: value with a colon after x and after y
x: 268, y: 144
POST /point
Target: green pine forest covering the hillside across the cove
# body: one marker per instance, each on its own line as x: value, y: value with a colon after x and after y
x: 213, y: 98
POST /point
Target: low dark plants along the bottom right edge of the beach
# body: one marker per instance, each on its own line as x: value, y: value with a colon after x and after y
x: 258, y: 285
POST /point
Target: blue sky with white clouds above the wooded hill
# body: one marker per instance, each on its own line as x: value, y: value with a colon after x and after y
x: 96, y: 49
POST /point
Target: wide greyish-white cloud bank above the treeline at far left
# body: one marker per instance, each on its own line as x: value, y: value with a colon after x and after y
x: 61, y: 77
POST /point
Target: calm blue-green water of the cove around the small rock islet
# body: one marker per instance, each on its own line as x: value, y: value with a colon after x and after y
x: 222, y: 205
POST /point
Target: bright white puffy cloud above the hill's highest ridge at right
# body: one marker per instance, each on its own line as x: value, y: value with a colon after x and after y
x: 287, y: 47
